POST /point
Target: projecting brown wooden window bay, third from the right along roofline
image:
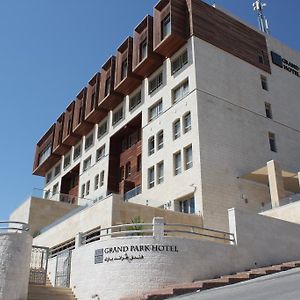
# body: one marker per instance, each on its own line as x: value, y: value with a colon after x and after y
x: 126, y: 80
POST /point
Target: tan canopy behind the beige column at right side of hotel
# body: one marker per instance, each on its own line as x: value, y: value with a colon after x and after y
x: 290, y: 179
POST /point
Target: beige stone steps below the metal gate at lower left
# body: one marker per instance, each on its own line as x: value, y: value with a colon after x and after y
x: 48, y: 292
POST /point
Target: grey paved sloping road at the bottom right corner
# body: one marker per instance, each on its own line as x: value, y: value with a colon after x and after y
x: 280, y: 286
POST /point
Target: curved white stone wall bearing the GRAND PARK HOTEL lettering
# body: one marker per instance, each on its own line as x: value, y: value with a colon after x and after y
x: 261, y: 241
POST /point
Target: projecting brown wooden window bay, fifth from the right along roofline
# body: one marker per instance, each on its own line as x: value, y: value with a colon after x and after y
x: 93, y: 113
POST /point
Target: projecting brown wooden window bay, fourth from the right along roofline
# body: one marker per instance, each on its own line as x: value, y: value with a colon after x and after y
x: 109, y: 98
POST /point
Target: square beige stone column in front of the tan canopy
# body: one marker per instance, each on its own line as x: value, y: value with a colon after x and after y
x: 275, y: 183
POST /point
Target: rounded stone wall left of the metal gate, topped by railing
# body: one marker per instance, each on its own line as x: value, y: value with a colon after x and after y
x: 15, y: 254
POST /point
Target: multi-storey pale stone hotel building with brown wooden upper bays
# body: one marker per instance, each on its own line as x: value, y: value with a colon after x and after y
x: 180, y: 118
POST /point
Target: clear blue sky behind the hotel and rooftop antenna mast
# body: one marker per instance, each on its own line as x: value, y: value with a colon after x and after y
x: 49, y: 49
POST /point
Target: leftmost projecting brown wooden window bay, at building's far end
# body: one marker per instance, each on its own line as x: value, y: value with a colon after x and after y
x: 44, y: 158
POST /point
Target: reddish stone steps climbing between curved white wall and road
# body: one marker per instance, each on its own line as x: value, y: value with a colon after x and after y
x: 185, y: 288
